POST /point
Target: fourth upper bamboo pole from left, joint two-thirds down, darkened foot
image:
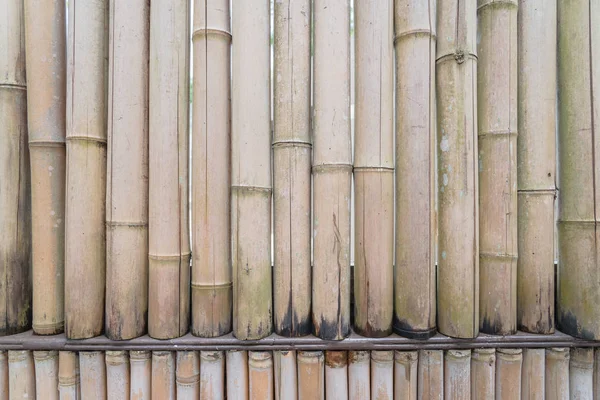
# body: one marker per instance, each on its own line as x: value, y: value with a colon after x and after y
x: 127, y: 171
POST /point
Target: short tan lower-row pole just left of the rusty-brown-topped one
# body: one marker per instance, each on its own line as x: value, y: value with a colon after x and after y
x: 311, y: 375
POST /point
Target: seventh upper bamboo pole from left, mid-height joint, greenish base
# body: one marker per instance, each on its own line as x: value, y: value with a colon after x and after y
x: 251, y: 171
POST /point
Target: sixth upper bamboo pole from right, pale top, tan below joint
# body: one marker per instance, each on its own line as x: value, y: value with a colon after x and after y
x: 374, y: 169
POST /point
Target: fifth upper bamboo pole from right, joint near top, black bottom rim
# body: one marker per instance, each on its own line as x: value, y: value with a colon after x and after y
x: 415, y: 278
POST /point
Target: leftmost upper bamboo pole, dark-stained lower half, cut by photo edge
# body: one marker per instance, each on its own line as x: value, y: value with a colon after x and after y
x: 15, y: 182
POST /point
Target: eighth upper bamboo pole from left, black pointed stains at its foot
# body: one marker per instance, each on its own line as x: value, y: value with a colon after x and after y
x: 291, y: 167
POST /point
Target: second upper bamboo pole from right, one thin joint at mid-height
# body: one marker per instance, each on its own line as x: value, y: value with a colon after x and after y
x: 536, y: 164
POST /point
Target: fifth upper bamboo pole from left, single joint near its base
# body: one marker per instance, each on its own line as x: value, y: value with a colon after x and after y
x: 169, y: 247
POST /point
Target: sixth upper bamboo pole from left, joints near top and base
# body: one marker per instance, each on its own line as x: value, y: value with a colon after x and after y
x: 211, y: 145
